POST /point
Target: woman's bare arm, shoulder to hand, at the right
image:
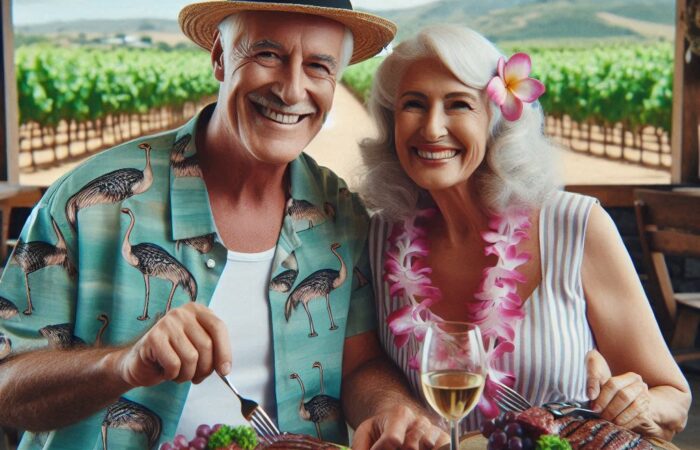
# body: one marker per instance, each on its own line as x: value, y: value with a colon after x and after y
x: 647, y: 391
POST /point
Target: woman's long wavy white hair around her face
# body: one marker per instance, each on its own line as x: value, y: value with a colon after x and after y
x: 518, y: 168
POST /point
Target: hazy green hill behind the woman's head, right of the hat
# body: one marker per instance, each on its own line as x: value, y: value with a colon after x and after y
x: 509, y: 20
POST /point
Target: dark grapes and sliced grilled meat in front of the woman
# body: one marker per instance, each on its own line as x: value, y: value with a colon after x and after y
x: 536, y: 428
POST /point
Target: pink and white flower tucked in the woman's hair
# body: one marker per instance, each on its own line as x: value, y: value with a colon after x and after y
x: 512, y: 85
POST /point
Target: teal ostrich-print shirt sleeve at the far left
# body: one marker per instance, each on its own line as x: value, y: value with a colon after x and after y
x: 38, y: 285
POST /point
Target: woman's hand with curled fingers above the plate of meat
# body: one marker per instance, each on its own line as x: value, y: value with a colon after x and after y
x: 623, y: 399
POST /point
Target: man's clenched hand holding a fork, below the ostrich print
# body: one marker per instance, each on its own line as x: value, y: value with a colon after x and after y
x: 187, y: 344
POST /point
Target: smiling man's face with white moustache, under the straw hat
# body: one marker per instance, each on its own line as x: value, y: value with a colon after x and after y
x: 278, y: 83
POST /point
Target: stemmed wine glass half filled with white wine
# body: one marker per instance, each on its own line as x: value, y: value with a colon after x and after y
x: 453, y: 371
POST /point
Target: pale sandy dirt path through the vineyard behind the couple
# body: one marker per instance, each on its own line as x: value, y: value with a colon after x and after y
x: 336, y: 147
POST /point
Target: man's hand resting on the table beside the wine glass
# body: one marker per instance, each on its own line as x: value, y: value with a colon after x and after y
x: 399, y: 428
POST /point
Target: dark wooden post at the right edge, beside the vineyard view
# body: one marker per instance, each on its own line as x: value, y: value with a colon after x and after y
x: 685, y: 146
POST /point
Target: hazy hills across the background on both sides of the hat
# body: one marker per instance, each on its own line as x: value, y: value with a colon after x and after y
x: 500, y: 20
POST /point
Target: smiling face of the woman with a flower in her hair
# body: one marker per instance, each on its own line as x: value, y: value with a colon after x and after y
x: 441, y: 126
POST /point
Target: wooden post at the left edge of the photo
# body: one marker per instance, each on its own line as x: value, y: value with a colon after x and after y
x: 9, y: 134
